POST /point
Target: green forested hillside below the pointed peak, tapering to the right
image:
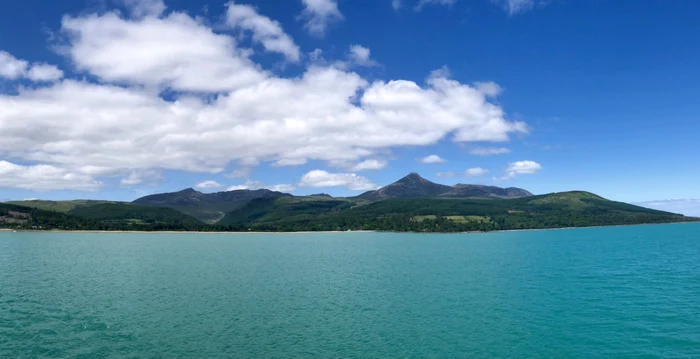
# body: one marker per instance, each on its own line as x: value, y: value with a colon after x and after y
x: 570, y: 209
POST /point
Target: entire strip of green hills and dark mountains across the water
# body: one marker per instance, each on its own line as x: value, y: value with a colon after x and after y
x: 412, y: 204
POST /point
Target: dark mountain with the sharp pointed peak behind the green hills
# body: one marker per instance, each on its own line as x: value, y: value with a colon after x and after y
x: 413, y: 186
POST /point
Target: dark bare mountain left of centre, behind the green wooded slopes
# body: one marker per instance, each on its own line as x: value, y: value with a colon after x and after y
x: 206, y: 207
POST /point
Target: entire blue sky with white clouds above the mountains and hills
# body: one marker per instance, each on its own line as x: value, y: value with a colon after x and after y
x: 116, y: 99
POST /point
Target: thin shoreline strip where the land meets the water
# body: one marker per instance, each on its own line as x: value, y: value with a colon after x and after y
x: 326, y: 232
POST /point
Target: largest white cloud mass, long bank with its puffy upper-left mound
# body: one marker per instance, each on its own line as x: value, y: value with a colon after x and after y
x: 218, y: 111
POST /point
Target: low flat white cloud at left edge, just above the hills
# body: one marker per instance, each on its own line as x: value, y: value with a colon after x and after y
x: 43, y: 177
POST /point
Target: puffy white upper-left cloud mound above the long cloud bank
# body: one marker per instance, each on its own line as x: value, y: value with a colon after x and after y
x: 176, y: 52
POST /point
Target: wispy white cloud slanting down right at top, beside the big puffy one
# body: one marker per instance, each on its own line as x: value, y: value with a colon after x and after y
x: 265, y: 31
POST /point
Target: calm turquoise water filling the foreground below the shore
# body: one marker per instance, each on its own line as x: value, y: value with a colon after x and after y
x: 618, y: 292
